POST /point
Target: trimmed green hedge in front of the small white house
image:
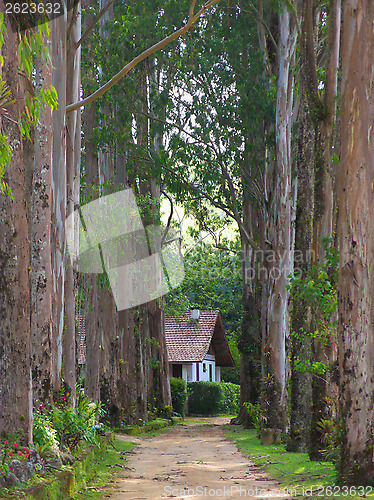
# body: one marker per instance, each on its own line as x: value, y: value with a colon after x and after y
x: 212, y: 398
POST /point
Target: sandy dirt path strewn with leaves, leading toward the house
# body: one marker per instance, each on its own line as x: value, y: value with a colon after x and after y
x: 194, y: 461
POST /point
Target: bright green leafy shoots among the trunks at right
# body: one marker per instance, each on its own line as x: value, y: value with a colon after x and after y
x: 318, y: 290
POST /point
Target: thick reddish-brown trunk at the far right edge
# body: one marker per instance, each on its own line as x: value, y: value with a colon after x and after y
x: 355, y: 230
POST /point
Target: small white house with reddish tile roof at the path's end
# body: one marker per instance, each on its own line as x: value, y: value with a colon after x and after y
x: 197, y: 346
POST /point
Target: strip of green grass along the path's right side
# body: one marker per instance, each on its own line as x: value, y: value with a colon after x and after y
x: 294, y: 471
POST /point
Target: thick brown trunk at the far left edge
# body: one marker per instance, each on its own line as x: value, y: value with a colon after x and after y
x: 15, y: 327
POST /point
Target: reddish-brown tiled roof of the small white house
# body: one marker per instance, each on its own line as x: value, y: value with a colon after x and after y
x: 189, y: 340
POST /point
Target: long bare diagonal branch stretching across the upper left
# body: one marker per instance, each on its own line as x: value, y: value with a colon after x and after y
x: 159, y: 45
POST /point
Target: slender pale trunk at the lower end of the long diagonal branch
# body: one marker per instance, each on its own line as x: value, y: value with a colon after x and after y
x: 73, y: 157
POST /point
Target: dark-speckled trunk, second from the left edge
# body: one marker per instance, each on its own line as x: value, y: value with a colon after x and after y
x: 41, y: 257
